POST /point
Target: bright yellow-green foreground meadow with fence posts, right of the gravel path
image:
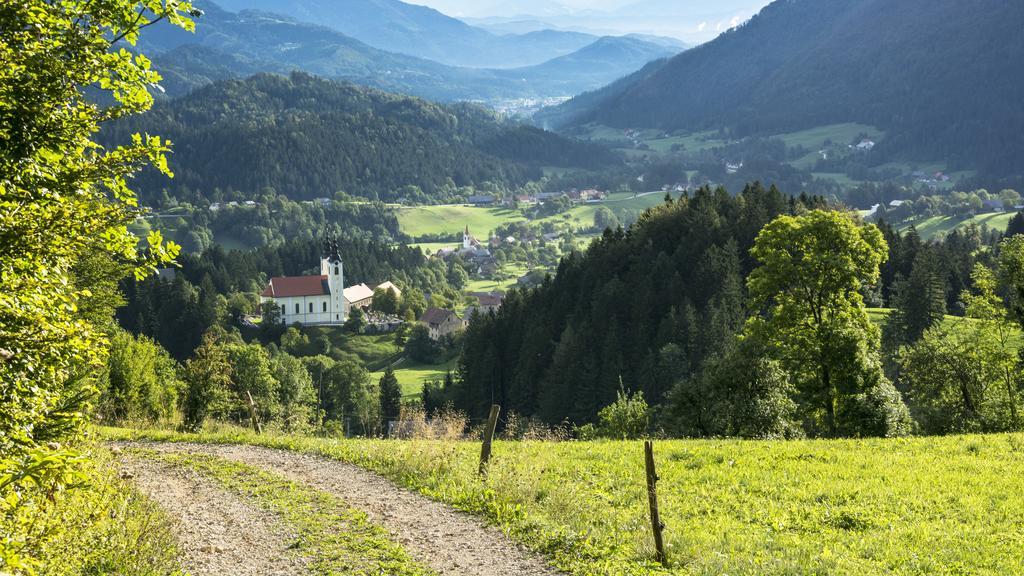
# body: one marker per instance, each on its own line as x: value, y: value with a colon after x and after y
x: 924, y: 506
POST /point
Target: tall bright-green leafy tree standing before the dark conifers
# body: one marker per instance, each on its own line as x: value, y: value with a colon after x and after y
x: 814, y: 270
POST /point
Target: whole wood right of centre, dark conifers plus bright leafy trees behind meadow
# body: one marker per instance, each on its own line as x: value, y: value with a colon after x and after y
x: 697, y: 308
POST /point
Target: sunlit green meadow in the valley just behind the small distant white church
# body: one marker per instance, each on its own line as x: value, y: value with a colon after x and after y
x: 420, y: 221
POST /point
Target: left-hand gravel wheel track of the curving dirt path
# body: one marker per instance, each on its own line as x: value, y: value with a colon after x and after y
x: 220, y: 532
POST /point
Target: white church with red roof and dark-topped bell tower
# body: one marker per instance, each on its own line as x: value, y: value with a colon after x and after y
x: 312, y: 301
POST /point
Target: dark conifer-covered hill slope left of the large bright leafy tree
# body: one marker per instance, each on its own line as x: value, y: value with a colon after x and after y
x: 641, y: 310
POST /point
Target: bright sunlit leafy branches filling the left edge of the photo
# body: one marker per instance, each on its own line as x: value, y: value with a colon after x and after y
x: 65, y: 207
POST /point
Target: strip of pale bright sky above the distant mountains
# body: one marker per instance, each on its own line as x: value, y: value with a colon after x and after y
x: 692, y: 21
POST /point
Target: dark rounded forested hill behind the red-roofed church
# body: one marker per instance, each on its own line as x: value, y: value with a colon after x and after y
x: 308, y: 138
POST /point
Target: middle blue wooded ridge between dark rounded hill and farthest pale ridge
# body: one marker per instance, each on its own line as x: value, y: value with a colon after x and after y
x: 228, y: 45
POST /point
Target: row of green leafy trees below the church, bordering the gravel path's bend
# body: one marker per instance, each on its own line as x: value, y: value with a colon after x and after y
x: 246, y: 384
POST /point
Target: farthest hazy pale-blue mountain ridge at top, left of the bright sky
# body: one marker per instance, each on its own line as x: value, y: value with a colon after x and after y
x: 423, y: 32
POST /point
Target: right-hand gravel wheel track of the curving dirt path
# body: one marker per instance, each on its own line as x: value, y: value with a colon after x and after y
x: 449, y: 542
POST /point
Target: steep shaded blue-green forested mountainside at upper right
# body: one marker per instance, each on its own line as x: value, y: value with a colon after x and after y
x: 943, y: 77
